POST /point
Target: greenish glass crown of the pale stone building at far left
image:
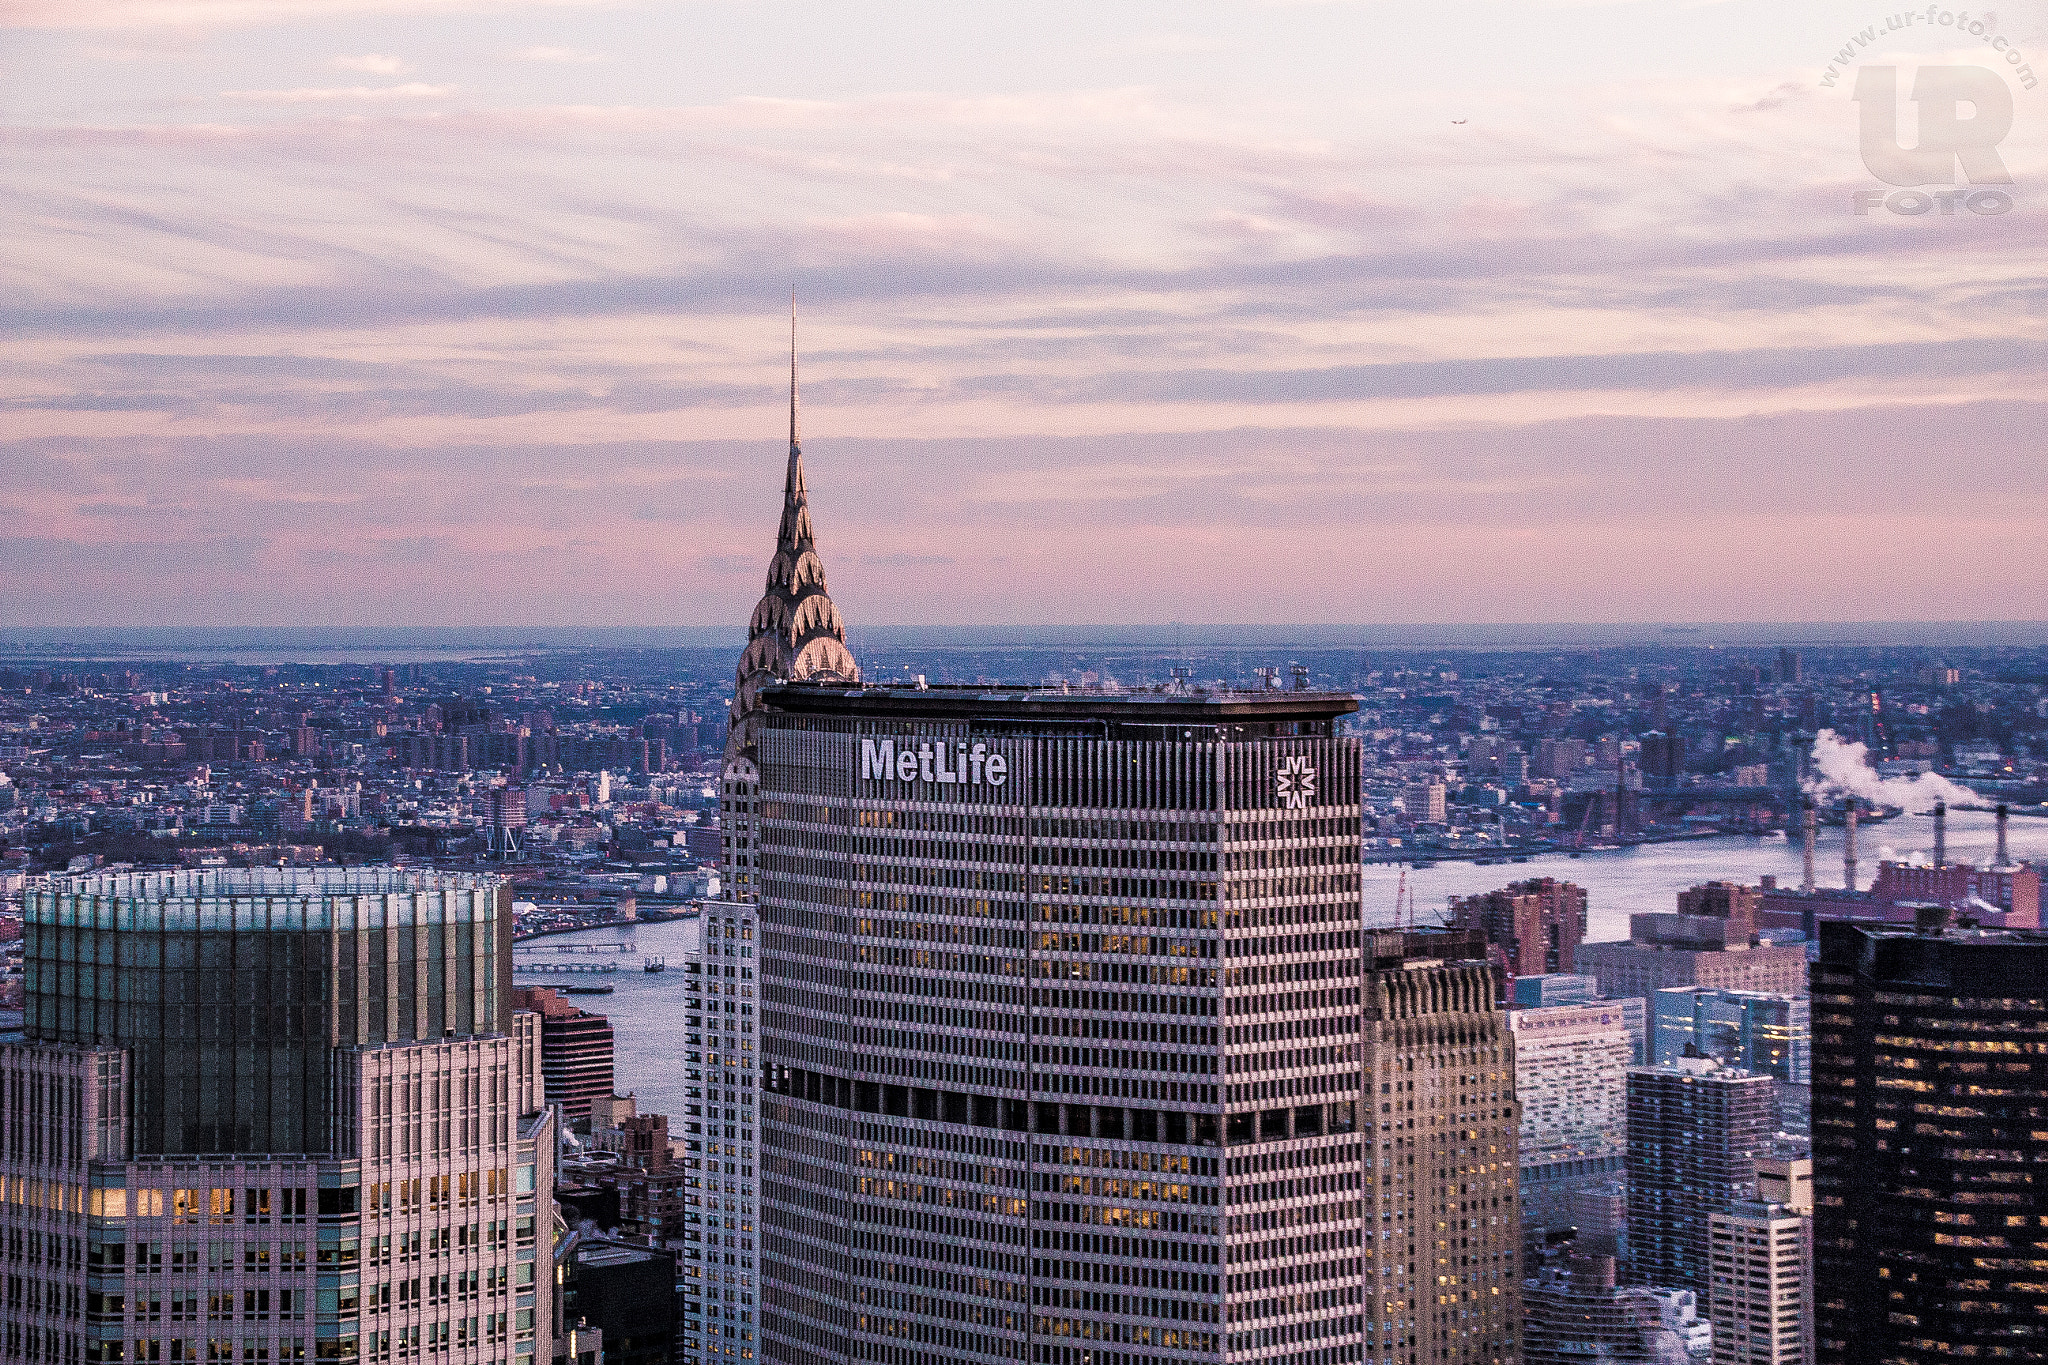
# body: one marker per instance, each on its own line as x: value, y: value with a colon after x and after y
x: 232, y: 987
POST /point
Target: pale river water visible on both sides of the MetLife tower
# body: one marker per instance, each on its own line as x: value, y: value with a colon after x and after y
x: 646, y: 1010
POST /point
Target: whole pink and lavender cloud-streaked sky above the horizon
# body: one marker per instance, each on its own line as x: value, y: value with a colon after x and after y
x: 472, y: 314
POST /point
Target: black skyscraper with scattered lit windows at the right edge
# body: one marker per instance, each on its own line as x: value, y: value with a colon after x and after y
x: 1928, y: 1090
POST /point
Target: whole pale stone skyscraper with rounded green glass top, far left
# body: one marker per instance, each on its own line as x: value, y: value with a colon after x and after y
x: 273, y: 1116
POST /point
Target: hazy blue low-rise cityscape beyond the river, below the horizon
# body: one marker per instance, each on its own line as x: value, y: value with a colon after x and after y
x: 607, y: 762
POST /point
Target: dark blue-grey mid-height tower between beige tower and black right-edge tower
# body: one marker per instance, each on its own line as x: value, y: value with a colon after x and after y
x: 1695, y: 1135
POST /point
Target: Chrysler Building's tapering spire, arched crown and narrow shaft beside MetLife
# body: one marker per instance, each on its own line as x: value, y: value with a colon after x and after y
x: 796, y: 635
